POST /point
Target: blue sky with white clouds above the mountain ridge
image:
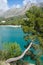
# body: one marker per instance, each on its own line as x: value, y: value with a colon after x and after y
x: 6, y: 4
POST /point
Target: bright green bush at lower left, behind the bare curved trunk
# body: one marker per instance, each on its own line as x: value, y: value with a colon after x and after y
x: 10, y: 50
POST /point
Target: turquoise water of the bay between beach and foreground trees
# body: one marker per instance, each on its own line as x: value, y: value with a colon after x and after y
x: 12, y: 34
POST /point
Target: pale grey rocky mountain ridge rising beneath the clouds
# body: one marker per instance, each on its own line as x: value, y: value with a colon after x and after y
x: 16, y: 11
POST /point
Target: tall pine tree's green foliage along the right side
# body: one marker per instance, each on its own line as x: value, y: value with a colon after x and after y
x: 34, y: 24
